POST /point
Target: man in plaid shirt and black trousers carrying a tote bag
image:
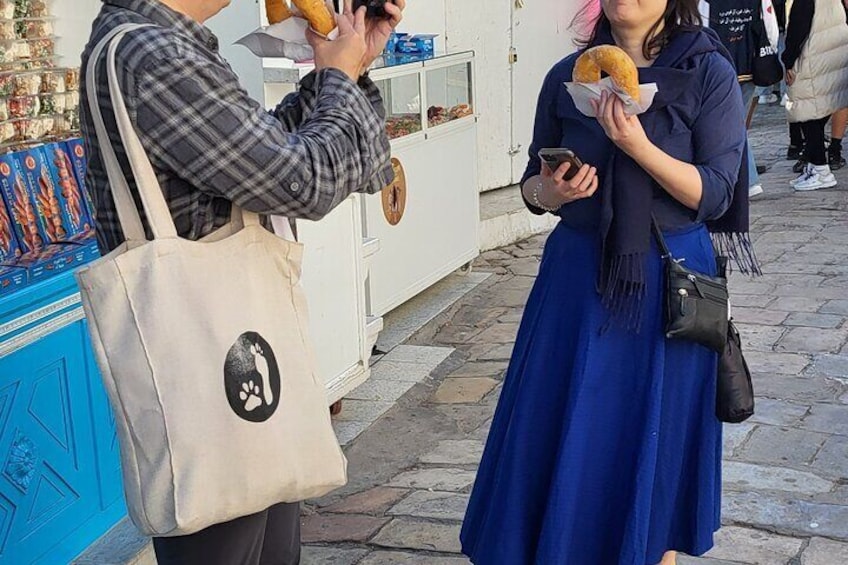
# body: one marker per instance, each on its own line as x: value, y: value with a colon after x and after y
x: 212, y: 145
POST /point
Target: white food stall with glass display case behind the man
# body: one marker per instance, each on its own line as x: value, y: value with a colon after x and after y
x: 375, y: 252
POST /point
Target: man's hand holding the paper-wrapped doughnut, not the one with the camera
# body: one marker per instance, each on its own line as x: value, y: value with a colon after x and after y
x: 346, y: 52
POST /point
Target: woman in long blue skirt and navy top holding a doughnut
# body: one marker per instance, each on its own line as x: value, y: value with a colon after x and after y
x: 605, y: 448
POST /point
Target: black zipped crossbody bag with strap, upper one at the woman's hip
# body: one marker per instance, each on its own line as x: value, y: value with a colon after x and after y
x: 696, y: 305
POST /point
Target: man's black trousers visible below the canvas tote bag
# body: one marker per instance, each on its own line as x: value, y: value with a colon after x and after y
x: 271, y: 537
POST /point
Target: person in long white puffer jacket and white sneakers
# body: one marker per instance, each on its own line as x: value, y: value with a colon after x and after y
x: 816, y: 61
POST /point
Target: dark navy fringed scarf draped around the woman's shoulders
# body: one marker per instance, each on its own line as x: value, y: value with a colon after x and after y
x: 627, y: 192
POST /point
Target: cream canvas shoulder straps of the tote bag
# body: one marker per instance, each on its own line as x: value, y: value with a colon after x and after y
x: 152, y: 198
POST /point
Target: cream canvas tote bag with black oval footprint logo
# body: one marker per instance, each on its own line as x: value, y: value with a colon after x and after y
x: 204, y: 350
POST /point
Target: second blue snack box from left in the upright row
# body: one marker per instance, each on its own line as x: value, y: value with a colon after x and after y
x: 20, y: 205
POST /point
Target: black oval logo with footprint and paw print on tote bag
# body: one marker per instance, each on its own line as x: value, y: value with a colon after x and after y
x: 252, y: 378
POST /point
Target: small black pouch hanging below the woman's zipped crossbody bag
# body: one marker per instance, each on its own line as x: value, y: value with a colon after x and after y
x: 735, y: 390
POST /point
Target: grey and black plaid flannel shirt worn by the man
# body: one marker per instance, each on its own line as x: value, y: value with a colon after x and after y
x: 212, y: 145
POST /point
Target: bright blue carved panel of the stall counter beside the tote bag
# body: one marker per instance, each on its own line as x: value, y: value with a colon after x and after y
x: 51, y: 470
